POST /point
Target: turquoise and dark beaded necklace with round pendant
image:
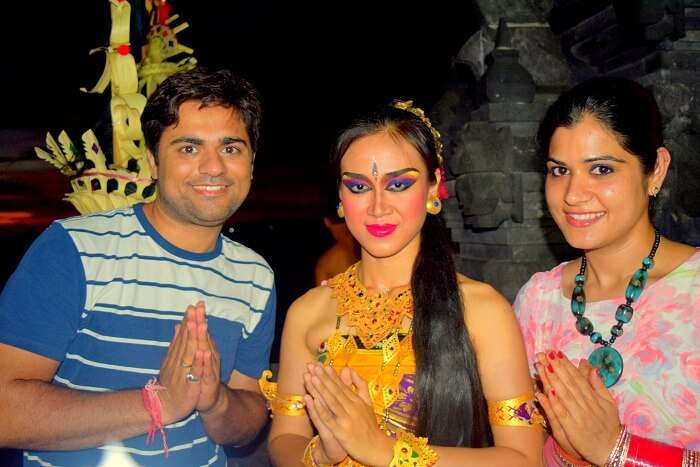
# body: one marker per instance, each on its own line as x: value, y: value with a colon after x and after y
x: 606, y: 359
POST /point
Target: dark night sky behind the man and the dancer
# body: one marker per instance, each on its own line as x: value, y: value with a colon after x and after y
x: 315, y: 65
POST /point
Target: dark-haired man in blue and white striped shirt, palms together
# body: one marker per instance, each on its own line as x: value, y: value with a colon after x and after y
x: 101, y: 304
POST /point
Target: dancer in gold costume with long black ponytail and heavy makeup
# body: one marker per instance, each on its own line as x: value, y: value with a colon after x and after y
x: 400, y: 360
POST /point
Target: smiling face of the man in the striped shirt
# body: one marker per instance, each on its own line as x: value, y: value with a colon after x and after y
x: 204, y: 166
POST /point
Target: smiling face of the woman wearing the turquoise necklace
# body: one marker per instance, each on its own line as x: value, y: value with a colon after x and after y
x: 596, y: 191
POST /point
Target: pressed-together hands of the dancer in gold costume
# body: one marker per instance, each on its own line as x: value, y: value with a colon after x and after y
x: 346, y: 414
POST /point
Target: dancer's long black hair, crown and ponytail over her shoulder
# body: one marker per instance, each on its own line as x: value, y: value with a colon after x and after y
x: 450, y: 401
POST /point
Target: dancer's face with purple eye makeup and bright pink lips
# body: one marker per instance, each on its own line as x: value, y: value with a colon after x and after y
x: 384, y: 188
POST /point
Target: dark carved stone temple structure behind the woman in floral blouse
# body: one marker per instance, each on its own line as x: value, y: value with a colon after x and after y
x: 525, y: 53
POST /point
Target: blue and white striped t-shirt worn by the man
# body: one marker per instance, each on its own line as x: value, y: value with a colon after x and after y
x: 102, y: 294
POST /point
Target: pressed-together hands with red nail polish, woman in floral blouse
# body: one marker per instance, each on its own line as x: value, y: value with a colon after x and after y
x: 582, y: 412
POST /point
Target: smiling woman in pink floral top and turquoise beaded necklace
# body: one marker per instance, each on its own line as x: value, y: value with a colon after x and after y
x: 614, y: 335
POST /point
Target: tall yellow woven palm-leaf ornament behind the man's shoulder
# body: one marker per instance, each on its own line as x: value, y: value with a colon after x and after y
x: 98, y: 185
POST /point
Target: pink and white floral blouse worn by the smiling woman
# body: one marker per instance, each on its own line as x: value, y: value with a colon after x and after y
x: 658, y: 394
